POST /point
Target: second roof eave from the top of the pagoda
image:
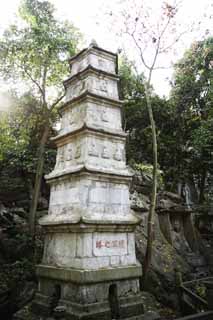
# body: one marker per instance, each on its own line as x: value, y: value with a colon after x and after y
x: 88, y: 70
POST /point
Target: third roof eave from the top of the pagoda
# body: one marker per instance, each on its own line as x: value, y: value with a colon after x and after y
x: 86, y: 95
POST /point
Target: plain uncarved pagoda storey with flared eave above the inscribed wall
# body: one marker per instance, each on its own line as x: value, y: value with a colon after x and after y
x: 90, y: 198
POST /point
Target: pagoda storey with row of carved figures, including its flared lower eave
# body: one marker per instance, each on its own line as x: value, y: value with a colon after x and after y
x: 92, y: 150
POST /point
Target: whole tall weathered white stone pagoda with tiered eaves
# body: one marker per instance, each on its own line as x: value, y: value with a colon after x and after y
x: 89, y: 264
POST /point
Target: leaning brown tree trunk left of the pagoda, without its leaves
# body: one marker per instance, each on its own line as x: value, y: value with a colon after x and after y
x: 38, y: 178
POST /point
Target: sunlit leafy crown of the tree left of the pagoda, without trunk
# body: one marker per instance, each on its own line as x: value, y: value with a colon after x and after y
x: 36, y: 52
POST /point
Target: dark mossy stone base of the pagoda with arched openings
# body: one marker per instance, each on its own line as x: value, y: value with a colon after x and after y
x: 89, y: 295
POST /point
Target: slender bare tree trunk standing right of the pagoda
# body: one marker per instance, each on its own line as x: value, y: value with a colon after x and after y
x: 150, y: 226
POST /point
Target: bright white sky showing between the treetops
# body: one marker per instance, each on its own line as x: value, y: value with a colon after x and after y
x: 91, y: 18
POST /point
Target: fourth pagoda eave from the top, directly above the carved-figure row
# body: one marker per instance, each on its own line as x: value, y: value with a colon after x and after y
x: 64, y: 138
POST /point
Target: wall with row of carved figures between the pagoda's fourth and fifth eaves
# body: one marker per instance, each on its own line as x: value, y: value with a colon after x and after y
x: 92, y: 151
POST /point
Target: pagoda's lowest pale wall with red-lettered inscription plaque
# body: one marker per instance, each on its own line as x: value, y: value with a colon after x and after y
x: 89, y: 250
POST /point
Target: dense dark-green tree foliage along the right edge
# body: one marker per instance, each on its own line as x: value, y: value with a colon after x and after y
x: 192, y: 99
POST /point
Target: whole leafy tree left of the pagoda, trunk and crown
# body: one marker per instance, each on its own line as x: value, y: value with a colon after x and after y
x: 34, y: 54
